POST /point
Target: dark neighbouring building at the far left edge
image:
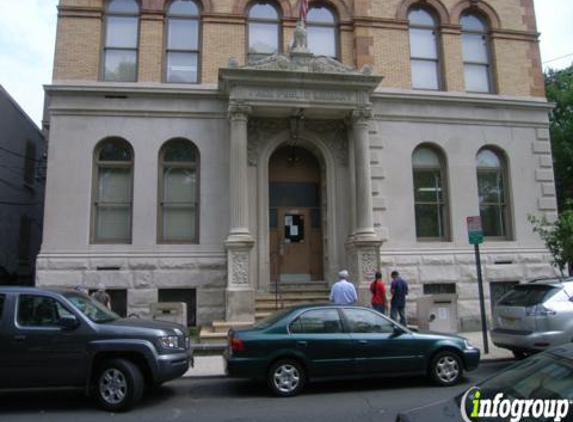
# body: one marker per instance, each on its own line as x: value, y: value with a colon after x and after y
x: 22, y: 180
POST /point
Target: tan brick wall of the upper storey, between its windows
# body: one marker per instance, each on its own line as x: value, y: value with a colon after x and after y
x: 370, y: 33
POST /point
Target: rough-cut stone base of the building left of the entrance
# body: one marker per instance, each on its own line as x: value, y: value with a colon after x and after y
x: 142, y: 277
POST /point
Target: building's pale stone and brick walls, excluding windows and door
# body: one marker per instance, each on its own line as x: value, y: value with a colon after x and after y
x: 362, y: 127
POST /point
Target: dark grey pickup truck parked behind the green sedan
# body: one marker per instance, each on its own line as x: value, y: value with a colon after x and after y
x: 58, y: 338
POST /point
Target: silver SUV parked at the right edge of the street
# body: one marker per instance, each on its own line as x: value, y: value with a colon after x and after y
x: 534, y: 316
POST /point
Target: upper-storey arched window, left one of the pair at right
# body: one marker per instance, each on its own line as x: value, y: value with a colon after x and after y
x: 424, y: 50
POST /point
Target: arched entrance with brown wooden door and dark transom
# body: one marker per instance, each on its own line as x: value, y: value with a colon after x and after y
x: 295, y: 216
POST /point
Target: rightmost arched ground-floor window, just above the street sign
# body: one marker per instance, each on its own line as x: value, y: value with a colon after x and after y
x: 492, y: 193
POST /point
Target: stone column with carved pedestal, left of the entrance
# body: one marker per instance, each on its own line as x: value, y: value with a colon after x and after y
x: 240, y: 300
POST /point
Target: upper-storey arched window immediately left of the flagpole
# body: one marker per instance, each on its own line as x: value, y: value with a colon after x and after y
x: 264, y: 30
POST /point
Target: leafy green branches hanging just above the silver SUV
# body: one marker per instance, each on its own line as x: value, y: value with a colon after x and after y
x: 557, y: 235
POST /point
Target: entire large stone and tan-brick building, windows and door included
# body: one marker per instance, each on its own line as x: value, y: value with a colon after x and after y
x: 205, y: 151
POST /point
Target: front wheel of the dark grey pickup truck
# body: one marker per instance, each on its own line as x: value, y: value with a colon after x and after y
x: 119, y: 385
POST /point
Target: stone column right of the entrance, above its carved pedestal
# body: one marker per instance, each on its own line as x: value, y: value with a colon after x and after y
x: 364, y: 219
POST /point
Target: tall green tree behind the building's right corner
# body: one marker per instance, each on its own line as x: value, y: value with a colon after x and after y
x: 559, y: 88
